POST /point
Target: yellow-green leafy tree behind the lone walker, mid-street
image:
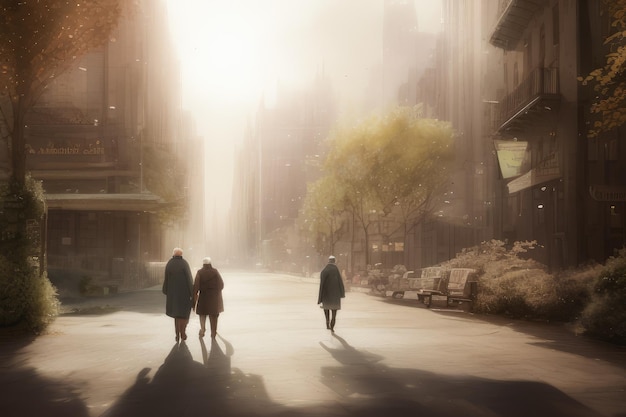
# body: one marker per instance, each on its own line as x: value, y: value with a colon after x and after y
x: 396, y: 163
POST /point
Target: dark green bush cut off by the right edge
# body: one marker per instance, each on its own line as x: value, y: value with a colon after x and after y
x: 605, y: 316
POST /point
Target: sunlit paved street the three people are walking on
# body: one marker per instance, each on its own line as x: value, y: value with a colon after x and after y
x: 273, y: 357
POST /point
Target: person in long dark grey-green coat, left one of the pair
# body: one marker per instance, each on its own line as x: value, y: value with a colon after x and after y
x: 177, y: 287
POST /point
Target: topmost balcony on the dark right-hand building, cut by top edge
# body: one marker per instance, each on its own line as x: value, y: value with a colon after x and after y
x: 514, y: 19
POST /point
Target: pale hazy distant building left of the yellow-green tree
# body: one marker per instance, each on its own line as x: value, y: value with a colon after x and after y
x: 282, y: 152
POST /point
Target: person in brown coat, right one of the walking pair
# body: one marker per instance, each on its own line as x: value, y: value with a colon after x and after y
x: 207, y: 293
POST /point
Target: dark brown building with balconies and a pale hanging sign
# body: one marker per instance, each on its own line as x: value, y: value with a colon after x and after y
x: 558, y: 187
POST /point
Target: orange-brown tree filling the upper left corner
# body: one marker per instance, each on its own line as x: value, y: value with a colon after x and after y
x: 38, y: 42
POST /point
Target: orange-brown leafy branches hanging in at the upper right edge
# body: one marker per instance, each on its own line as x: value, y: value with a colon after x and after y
x: 609, y: 81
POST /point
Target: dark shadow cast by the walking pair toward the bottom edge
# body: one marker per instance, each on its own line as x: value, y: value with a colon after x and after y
x: 184, y: 387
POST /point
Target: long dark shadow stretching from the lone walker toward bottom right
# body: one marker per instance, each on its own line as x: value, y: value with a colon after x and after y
x: 373, y: 389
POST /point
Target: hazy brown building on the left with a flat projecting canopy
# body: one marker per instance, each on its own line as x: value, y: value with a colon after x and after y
x: 105, y: 139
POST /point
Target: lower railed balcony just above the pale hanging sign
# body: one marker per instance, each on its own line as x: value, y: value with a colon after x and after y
x: 537, y: 93
